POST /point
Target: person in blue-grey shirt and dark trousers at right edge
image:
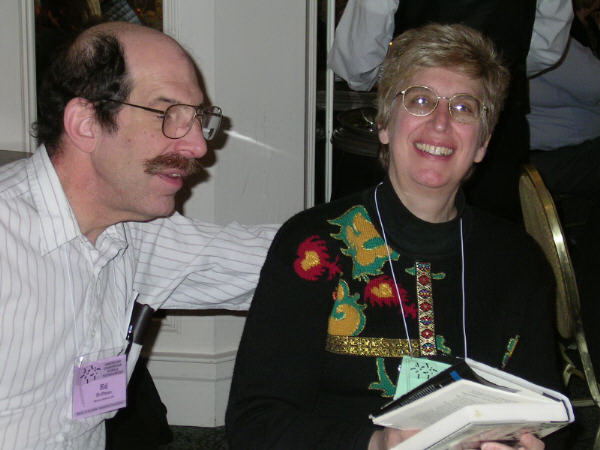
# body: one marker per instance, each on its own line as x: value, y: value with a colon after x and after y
x: 565, y: 121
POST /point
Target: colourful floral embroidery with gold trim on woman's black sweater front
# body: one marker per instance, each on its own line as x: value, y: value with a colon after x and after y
x: 368, y: 287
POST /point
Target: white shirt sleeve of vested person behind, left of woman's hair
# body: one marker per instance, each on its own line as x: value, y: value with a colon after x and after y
x: 361, y: 41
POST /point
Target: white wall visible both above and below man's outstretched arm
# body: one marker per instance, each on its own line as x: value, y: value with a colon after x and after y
x: 252, y: 55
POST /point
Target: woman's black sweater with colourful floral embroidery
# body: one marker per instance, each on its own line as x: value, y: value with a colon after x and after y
x: 325, y: 335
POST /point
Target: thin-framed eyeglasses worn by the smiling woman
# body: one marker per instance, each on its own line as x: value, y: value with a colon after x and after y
x: 422, y: 101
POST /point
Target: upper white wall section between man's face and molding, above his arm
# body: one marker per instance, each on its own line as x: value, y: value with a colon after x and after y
x: 252, y: 55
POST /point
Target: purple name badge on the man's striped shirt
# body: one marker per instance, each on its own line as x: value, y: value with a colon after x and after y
x: 99, y: 386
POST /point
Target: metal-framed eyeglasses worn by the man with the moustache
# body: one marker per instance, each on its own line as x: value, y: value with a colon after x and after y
x: 178, y: 119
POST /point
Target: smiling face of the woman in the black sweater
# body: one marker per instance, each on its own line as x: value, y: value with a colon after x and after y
x: 433, y: 152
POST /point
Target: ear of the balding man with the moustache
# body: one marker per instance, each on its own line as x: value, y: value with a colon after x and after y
x: 80, y: 124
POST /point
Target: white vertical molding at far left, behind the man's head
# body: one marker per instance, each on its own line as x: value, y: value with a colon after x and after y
x: 28, y: 84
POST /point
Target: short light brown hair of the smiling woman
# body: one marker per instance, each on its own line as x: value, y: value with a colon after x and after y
x: 455, y: 47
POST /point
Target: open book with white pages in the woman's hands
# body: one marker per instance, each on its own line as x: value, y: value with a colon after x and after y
x: 470, y: 403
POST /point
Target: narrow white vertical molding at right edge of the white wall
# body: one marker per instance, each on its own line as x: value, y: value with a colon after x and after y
x: 311, y: 102
